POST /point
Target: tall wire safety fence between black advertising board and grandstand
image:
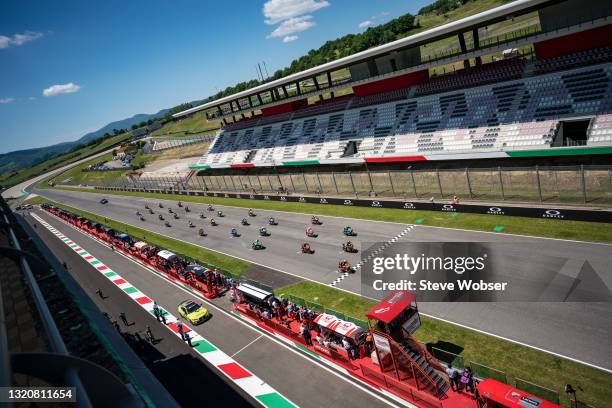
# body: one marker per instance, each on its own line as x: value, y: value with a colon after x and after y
x: 560, y: 184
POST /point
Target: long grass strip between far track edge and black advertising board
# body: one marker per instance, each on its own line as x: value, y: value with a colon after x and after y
x: 576, y: 230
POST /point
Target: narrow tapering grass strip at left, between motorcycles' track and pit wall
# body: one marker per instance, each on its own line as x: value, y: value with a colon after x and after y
x: 205, y: 256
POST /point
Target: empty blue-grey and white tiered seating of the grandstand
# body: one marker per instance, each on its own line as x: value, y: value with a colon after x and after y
x: 518, y: 114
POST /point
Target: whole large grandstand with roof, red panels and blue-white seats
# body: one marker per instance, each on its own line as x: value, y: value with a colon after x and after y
x: 546, y: 92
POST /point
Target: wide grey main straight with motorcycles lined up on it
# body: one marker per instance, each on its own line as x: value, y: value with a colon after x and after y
x: 579, y: 331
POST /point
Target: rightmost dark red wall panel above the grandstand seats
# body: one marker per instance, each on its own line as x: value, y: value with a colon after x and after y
x: 596, y: 37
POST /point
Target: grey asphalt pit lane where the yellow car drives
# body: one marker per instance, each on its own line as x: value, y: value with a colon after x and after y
x: 303, y: 381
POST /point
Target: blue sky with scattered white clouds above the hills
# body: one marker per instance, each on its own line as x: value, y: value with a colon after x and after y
x: 101, y: 61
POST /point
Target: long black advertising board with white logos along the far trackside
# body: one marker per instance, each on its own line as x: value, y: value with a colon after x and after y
x: 517, y: 211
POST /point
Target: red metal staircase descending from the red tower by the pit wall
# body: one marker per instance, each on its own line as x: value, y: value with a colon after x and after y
x: 416, y: 365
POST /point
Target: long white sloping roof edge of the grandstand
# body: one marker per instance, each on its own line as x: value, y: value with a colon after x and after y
x: 488, y: 16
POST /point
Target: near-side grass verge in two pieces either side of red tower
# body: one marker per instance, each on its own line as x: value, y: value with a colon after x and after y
x: 516, y: 360
